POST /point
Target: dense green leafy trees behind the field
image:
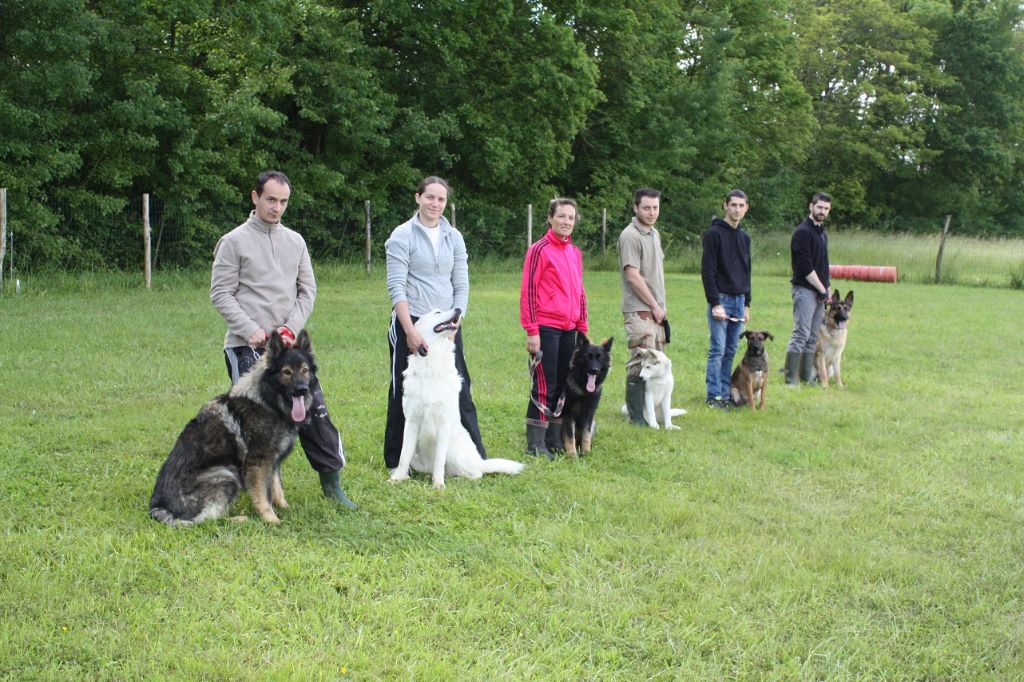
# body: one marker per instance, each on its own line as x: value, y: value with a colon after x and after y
x: 905, y: 111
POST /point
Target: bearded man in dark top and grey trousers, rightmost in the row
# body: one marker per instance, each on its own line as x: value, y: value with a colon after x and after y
x: 809, y: 254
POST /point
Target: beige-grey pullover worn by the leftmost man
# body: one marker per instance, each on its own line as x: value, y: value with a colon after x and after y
x: 263, y: 279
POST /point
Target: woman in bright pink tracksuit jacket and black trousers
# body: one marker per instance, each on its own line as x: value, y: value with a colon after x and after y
x: 552, y: 310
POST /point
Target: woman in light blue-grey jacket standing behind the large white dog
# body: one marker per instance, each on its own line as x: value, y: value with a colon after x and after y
x: 426, y: 270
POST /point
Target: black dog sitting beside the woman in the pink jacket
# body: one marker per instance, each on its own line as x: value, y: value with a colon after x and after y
x: 588, y: 369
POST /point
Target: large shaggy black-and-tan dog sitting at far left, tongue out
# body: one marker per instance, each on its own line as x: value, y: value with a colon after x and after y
x: 239, y: 440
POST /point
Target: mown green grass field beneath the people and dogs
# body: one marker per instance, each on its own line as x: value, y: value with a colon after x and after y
x: 868, y: 534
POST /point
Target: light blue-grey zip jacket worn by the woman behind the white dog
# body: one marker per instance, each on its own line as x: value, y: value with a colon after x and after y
x: 420, y: 278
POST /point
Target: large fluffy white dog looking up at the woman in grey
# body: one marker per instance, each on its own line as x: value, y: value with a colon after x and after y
x: 435, y: 441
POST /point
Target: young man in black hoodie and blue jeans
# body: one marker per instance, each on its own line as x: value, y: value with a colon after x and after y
x: 726, y: 271
